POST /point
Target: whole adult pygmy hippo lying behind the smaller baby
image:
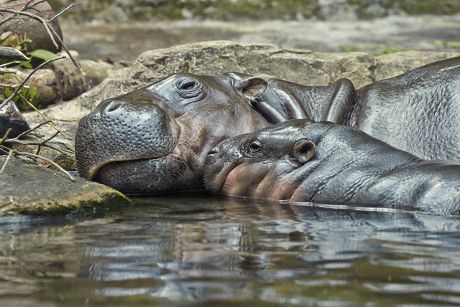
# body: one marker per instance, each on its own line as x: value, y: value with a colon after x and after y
x: 155, y: 139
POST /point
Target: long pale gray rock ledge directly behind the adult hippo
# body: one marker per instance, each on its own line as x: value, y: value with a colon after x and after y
x: 301, y: 66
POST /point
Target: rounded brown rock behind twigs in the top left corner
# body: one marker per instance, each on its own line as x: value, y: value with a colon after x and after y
x: 31, y: 28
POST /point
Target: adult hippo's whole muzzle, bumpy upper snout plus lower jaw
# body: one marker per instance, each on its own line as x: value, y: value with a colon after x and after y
x: 122, y: 144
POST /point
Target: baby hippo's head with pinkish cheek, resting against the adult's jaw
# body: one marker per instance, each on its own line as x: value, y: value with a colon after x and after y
x: 268, y: 164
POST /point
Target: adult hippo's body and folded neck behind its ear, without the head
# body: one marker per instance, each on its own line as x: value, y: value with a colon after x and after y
x: 422, y: 104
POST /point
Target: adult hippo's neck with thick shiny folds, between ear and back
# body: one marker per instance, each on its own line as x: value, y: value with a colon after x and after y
x: 332, y: 103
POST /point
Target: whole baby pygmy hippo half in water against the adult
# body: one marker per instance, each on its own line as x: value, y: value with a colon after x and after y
x: 322, y: 162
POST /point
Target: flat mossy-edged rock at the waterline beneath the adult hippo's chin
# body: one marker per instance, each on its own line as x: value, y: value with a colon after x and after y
x: 31, y: 189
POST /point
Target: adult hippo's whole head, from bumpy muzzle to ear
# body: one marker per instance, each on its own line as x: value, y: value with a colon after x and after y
x: 155, y: 139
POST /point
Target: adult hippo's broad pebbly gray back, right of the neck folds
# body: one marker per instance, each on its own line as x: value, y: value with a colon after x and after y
x: 418, y: 111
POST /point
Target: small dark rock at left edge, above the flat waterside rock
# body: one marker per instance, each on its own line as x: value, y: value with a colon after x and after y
x: 11, y: 117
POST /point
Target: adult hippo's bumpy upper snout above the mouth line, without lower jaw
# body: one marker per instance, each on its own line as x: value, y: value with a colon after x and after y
x: 125, y: 128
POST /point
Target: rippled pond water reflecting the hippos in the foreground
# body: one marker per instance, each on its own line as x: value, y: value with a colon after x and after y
x: 191, y: 250
